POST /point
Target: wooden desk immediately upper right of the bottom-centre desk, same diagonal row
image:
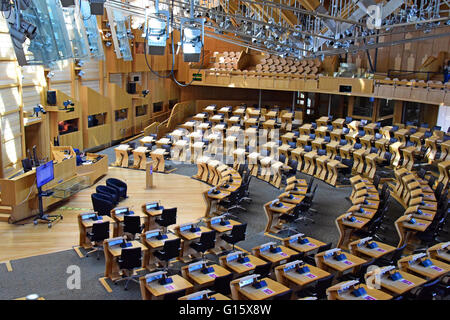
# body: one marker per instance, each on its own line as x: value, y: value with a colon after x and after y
x: 298, y: 281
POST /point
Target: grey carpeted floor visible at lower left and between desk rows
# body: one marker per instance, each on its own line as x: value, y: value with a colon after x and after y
x: 47, y: 274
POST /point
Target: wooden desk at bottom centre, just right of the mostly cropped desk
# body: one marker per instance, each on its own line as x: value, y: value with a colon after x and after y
x: 249, y: 292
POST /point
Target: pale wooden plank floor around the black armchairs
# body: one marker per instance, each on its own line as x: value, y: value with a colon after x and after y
x: 173, y: 190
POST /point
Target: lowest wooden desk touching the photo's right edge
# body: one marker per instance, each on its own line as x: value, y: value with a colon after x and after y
x: 432, y: 272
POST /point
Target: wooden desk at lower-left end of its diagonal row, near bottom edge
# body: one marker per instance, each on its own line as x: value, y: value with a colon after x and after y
x: 155, y: 291
